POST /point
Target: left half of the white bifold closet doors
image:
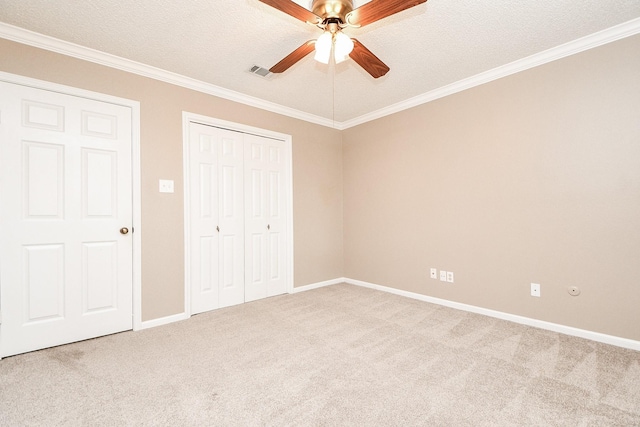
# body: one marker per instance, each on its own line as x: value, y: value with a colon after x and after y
x: 216, y: 217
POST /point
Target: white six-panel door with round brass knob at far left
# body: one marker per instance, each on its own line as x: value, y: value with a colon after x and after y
x: 65, y: 195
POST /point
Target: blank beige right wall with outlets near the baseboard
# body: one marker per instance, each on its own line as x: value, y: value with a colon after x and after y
x: 531, y: 178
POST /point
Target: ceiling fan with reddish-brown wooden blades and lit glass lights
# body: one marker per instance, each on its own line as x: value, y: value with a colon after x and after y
x: 332, y: 16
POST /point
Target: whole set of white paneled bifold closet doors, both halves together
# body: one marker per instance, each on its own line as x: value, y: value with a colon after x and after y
x: 237, y: 217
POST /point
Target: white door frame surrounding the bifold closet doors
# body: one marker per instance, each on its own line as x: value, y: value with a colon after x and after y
x: 238, y: 127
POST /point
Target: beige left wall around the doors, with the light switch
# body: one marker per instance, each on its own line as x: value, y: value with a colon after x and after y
x: 317, y: 170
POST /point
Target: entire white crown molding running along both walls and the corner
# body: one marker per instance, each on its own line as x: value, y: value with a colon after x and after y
x: 41, y: 41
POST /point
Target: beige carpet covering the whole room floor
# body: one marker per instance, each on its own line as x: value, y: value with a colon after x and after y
x: 335, y: 356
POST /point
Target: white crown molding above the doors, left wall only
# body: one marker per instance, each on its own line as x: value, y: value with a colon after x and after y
x: 20, y: 35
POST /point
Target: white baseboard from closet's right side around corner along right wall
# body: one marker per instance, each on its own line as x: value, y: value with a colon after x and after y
x: 567, y: 330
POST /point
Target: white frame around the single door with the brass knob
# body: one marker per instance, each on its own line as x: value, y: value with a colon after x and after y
x: 135, y: 170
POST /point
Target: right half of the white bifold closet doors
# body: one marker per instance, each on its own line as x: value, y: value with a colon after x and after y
x: 265, y: 220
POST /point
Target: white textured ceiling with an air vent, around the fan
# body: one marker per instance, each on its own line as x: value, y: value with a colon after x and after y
x: 216, y: 41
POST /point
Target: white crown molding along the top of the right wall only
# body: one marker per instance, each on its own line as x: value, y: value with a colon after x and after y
x: 609, y: 35
